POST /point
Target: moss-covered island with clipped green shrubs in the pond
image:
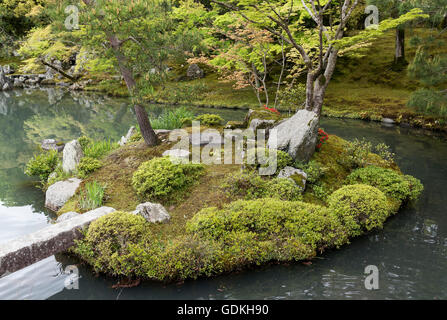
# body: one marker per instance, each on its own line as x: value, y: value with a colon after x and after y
x: 223, y: 218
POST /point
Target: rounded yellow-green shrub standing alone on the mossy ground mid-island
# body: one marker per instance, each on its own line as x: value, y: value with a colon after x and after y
x: 160, y: 177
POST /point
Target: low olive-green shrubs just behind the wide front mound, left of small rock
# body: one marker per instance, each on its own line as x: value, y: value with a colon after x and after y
x: 249, y: 185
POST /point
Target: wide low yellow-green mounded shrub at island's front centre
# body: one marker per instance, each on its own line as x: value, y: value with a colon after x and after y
x: 273, y: 224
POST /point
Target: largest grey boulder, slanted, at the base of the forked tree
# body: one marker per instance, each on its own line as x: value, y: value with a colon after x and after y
x: 297, y: 135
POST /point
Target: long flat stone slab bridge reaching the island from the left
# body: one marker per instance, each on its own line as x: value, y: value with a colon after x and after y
x: 24, y: 251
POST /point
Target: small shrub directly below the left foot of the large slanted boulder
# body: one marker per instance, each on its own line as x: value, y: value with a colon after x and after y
x: 253, y: 162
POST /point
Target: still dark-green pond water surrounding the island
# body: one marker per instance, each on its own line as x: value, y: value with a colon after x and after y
x: 410, y: 252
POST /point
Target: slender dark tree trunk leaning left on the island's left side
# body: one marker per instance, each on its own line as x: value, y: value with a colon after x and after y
x: 150, y: 138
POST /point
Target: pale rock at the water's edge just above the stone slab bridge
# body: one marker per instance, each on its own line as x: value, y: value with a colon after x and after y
x: 60, y: 192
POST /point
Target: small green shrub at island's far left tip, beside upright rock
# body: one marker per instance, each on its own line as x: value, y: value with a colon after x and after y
x: 42, y: 165
